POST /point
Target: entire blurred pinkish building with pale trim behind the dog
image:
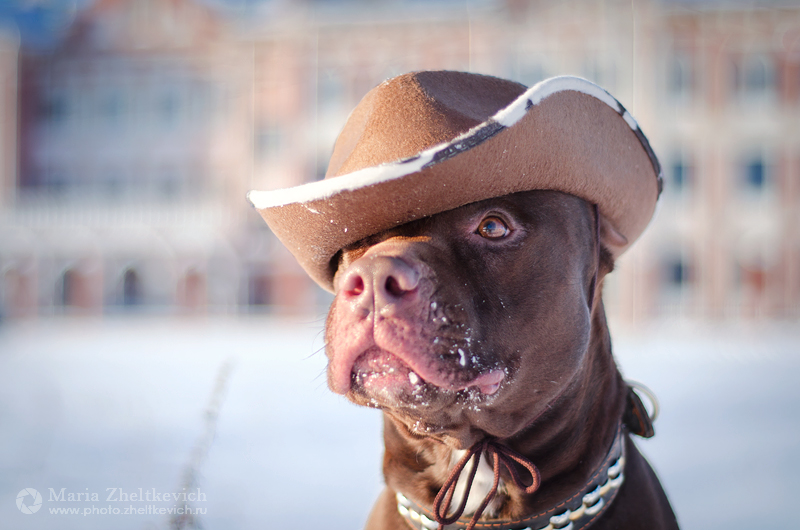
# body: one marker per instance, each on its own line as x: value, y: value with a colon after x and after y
x: 137, y: 137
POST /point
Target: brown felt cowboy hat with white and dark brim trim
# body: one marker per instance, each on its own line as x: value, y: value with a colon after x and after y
x: 428, y: 142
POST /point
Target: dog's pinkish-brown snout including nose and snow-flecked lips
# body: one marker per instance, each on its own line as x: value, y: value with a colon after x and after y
x: 396, y: 334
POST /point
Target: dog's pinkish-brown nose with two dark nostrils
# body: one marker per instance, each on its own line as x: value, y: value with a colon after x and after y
x: 378, y: 282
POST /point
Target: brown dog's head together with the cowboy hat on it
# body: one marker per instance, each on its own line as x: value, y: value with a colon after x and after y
x: 458, y: 278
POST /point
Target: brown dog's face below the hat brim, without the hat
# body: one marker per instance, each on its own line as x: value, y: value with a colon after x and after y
x: 470, y: 321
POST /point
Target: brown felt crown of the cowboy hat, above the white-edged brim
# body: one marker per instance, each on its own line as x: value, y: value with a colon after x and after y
x: 410, y: 113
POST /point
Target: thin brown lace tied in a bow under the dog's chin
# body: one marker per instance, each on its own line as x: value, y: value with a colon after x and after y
x: 499, y: 454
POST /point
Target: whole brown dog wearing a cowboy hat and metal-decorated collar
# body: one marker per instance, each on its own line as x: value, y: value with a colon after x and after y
x: 465, y: 225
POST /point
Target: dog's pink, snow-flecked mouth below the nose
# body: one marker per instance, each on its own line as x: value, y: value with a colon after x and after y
x: 383, y: 375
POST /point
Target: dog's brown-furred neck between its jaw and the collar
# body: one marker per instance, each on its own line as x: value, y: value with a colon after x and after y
x: 567, y: 443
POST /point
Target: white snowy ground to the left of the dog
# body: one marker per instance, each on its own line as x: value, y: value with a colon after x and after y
x: 99, y: 405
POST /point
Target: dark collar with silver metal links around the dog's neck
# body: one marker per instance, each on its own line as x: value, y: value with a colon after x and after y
x: 574, y: 513
